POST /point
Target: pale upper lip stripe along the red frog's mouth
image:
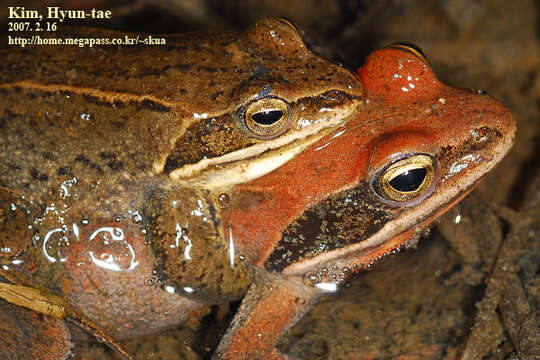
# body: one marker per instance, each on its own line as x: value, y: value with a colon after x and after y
x: 347, y: 256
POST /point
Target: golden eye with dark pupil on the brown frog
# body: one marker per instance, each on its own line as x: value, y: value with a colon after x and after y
x: 267, y: 117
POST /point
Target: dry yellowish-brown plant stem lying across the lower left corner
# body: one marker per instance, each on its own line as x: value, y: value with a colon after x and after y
x: 52, y: 305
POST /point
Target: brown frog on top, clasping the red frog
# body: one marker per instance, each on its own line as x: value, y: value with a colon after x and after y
x: 112, y: 167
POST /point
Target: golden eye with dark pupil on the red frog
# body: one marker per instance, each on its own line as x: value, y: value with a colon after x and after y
x: 407, y: 179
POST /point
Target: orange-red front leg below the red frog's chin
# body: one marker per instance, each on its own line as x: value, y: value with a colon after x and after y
x: 272, y: 305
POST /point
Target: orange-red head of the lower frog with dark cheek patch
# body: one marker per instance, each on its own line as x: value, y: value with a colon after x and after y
x: 417, y: 148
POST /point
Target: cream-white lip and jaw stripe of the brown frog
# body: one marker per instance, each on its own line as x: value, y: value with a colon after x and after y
x: 248, y: 164
